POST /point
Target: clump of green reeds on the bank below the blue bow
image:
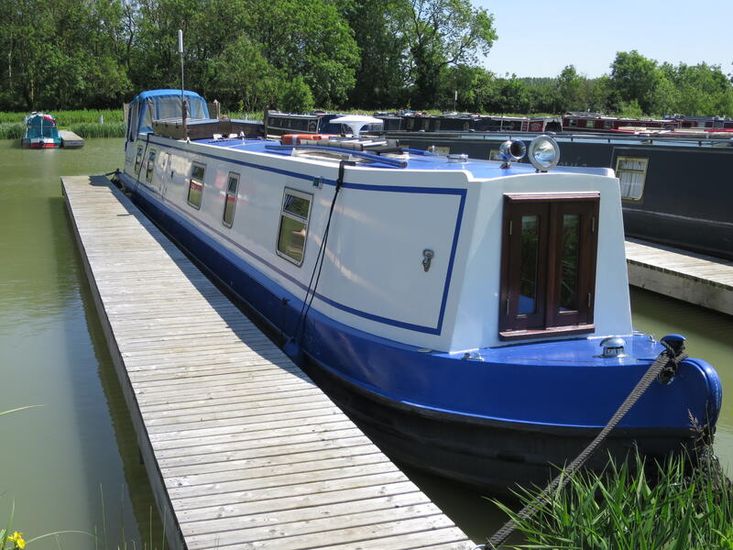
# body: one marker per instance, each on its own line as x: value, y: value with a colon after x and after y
x: 635, y: 505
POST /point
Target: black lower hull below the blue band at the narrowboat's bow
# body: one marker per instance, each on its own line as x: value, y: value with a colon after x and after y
x: 490, y: 455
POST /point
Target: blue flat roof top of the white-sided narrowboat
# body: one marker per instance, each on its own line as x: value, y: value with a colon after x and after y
x: 415, y: 160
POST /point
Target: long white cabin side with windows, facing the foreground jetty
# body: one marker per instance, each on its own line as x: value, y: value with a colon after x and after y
x: 373, y: 278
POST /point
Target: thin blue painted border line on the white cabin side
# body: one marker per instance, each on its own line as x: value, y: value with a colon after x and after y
x: 425, y: 329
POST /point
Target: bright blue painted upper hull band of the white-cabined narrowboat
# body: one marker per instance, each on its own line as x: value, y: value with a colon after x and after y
x: 507, y: 392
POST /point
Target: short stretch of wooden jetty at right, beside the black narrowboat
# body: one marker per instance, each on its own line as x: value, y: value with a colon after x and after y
x: 693, y: 278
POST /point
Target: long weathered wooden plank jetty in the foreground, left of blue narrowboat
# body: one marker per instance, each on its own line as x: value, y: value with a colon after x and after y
x: 241, y: 448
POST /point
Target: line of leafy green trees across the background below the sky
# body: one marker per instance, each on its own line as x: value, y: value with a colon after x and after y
x: 294, y: 55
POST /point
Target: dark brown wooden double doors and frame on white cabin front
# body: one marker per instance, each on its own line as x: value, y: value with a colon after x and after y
x: 548, y: 318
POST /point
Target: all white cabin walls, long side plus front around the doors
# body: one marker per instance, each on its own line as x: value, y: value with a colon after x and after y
x: 376, y: 275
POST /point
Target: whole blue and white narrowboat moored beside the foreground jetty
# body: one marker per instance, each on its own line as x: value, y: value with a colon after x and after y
x: 472, y: 316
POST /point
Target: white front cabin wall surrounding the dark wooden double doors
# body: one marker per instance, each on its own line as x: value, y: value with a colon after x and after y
x: 479, y: 305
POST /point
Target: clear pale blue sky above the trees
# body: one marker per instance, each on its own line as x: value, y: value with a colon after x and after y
x: 541, y: 37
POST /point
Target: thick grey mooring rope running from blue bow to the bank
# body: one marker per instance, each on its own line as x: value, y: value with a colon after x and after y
x: 657, y: 367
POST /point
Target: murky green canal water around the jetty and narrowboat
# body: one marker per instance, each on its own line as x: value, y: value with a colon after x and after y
x: 69, y: 465
